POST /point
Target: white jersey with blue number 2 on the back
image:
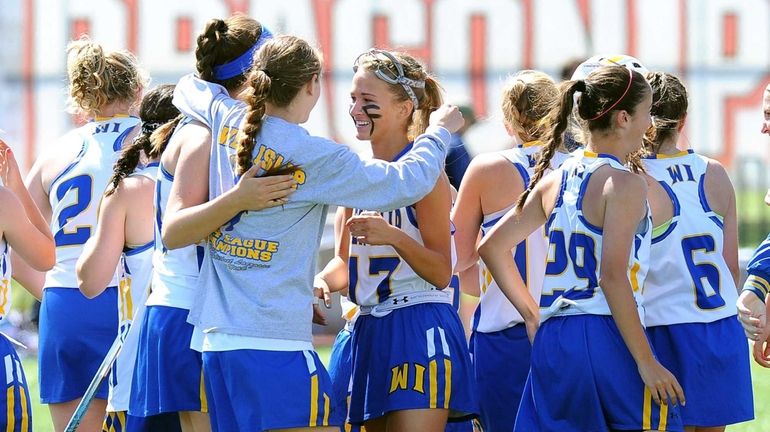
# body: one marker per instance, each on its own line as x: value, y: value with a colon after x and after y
x: 76, y: 191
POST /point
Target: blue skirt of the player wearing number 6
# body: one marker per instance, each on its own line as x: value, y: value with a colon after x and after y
x: 711, y: 362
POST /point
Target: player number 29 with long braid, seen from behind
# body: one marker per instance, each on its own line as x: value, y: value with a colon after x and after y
x: 592, y: 367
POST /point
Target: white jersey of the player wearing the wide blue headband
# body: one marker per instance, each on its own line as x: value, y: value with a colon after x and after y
x: 175, y: 271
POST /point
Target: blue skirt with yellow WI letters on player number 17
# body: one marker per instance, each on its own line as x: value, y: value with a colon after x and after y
x: 413, y: 358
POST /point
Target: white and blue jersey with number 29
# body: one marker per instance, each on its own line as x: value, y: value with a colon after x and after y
x: 573, y: 264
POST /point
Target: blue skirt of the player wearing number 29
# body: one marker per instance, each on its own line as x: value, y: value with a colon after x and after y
x: 583, y: 378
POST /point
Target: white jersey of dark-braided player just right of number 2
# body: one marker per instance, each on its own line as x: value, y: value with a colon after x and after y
x: 134, y: 275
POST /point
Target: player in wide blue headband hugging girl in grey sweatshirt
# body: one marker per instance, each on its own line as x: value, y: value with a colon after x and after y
x: 168, y: 378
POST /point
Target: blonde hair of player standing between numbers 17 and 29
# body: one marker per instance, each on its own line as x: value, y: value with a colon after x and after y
x: 528, y: 96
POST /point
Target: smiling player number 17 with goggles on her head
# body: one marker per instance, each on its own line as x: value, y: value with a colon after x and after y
x: 399, y: 261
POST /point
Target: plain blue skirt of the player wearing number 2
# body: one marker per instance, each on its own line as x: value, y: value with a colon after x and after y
x: 75, y: 335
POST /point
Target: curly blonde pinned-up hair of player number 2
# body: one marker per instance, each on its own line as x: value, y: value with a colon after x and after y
x: 98, y: 78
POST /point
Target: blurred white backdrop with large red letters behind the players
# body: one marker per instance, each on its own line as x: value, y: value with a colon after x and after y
x: 720, y: 48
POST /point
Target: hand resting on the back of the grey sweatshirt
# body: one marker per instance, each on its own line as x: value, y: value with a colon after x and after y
x: 257, y: 193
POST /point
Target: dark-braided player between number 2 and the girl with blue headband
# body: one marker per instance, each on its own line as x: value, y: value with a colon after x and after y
x: 124, y: 240
